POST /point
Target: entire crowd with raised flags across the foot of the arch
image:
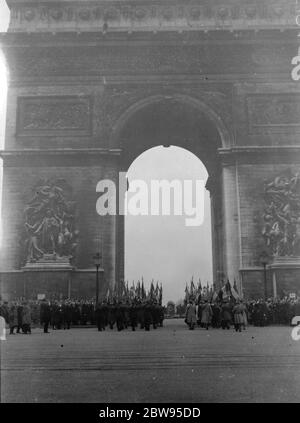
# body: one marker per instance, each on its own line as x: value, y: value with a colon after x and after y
x: 134, y: 309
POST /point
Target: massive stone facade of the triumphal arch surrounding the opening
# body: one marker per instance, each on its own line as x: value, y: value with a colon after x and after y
x: 88, y: 80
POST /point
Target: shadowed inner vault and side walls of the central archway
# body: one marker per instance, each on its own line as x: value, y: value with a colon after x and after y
x: 175, y: 120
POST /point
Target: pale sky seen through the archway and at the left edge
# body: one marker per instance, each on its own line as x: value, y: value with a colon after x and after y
x: 162, y: 248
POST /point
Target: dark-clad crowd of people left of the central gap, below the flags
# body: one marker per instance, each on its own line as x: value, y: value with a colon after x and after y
x: 134, y: 314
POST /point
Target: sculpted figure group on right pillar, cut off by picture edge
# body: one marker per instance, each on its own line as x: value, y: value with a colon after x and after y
x: 281, y: 229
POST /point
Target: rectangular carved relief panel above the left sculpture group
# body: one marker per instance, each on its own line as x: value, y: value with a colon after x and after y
x: 69, y: 115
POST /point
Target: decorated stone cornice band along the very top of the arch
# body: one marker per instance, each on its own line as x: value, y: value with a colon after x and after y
x: 149, y: 15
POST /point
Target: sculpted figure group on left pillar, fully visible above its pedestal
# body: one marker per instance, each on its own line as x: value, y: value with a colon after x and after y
x: 49, y: 222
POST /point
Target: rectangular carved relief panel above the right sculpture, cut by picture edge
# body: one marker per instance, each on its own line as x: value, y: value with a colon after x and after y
x: 275, y: 113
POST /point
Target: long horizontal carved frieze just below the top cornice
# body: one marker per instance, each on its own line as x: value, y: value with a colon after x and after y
x: 179, y: 58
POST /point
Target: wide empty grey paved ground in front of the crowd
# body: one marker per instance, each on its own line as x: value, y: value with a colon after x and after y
x: 170, y: 364
